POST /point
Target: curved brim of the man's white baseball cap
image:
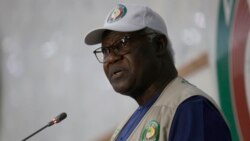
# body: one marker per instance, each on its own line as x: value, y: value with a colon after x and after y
x: 95, y: 36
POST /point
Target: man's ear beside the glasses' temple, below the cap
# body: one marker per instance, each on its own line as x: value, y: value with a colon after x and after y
x: 160, y: 45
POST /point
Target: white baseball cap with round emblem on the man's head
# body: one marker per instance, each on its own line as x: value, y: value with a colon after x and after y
x: 128, y: 18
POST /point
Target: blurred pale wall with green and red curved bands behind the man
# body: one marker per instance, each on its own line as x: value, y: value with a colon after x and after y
x: 46, y: 68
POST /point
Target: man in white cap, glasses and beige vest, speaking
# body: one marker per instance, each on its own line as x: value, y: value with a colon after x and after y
x: 138, y: 61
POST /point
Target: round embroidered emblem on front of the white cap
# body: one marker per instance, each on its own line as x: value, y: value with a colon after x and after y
x: 118, y: 13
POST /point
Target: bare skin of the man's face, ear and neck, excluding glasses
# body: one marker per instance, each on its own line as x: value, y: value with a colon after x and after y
x: 143, y: 71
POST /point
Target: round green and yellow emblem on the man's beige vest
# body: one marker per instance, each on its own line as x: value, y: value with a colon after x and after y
x: 151, y: 131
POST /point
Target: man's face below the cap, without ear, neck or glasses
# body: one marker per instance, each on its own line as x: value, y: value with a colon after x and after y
x: 131, y: 73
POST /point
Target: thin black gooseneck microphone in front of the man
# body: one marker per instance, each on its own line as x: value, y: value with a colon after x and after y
x: 55, y: 120
